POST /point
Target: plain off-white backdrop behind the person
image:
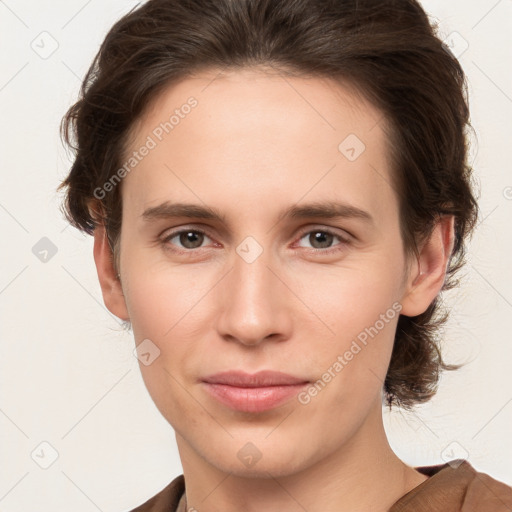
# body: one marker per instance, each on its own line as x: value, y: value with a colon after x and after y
x: 78, y: 428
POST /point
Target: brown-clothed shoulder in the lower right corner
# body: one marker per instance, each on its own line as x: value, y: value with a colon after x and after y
x: 456, y: 486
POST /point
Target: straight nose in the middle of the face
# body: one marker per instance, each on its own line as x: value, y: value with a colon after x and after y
x: 254, y: 303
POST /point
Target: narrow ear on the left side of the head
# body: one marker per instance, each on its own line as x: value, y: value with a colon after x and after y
x: 109, y: 282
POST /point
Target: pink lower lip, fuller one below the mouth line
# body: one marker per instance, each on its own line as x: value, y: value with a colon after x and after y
x: 253, y: 399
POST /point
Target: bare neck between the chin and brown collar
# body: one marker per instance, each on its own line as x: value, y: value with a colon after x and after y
x: 363, y: 474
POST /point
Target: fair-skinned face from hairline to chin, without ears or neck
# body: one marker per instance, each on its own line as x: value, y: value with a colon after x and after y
x: 259, y: 273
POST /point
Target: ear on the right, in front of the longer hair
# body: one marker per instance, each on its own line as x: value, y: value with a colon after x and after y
x: 427, y: 275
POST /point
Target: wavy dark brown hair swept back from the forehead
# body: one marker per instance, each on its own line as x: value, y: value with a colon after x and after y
x: 388, y: 49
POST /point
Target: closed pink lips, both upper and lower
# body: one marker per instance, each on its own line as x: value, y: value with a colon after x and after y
x: 254, y: 393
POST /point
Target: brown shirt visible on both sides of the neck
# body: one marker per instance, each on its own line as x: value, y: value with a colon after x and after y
x: 451, y: 487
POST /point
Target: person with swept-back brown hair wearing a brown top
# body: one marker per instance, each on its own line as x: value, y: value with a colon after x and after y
x: 279, y: 193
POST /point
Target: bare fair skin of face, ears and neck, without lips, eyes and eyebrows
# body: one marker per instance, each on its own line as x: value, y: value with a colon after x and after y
x: 256, y: 144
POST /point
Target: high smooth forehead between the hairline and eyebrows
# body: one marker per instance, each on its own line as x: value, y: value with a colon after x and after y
x: 244, y: 136
